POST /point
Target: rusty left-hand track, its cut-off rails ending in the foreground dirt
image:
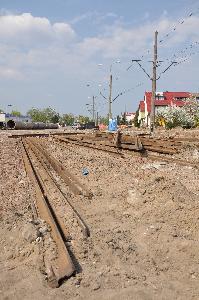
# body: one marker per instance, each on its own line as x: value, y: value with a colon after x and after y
x: 53, y: 206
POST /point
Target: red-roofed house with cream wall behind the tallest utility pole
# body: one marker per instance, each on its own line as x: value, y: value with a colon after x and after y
x: 163, y: 99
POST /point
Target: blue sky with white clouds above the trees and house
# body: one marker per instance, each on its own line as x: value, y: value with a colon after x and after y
x: 60, y: 53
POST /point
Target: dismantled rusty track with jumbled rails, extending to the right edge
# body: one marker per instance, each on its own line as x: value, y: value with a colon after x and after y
x: 164, y: 147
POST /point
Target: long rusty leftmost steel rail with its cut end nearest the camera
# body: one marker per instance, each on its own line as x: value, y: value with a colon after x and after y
x: 62, y: 266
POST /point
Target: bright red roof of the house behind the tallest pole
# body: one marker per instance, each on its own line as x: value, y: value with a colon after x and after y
x: 170, y: 98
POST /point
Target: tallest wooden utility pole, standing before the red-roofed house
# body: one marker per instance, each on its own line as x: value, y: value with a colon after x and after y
x: 154, y: 79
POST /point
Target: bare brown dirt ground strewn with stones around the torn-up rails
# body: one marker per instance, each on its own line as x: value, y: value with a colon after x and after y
x: 143, y: 219
